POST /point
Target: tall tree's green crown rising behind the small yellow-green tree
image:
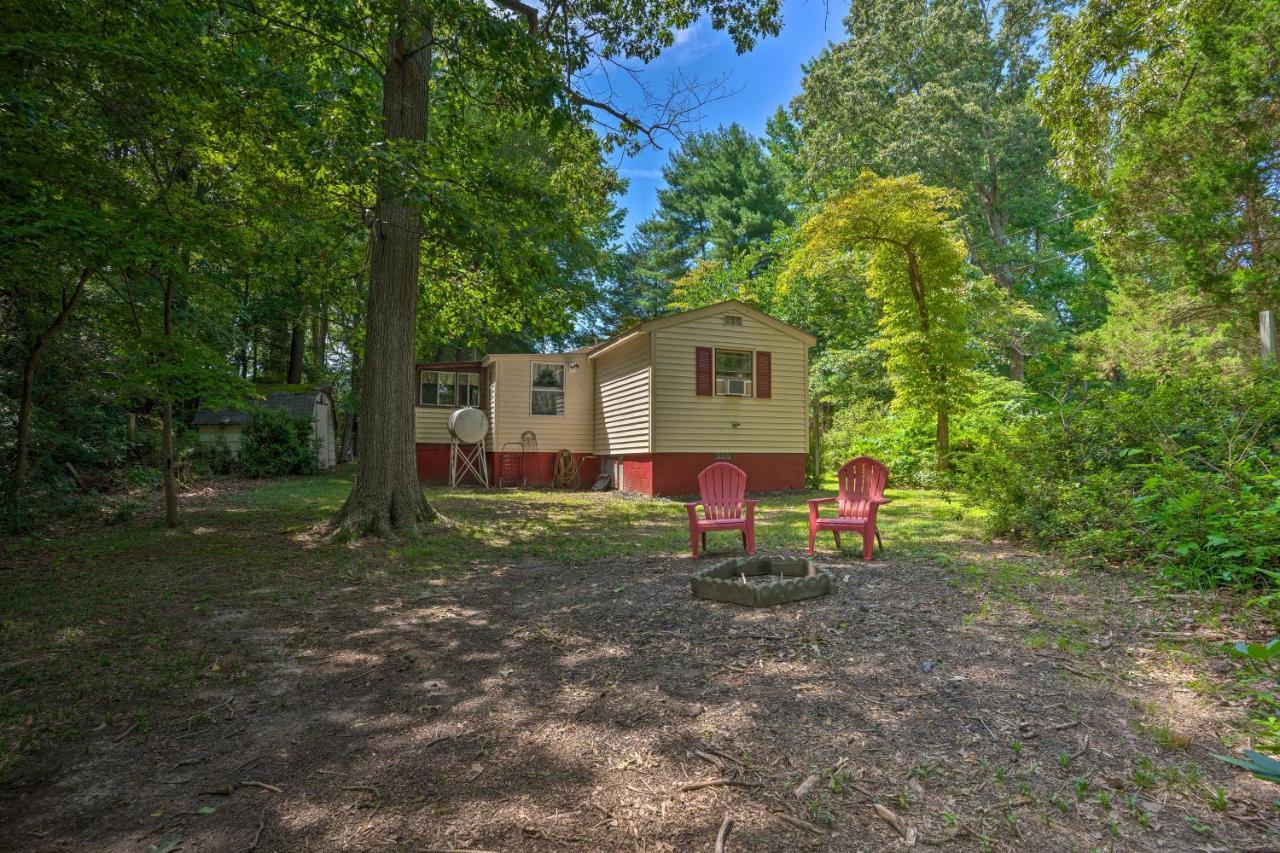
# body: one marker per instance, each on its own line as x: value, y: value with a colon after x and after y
x: 940, y: 89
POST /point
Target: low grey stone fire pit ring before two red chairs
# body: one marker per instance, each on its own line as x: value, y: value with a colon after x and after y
x: 762, y: 582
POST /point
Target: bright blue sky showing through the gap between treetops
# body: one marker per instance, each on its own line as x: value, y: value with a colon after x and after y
x: 760, y: 83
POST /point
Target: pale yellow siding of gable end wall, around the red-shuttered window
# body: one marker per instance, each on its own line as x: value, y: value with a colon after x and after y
x: 683, y: 422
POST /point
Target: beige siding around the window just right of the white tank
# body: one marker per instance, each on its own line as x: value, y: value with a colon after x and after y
x: 514, y: 404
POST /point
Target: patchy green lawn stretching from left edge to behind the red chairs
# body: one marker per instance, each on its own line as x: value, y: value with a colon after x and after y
x: 108, y: 626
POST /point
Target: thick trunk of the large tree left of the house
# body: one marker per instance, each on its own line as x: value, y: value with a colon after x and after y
x: 387, y: 498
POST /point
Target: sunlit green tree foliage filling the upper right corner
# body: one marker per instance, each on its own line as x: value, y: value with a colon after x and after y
x: 1177, y: 139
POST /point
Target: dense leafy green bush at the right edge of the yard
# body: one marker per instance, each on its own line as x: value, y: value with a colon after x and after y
x: 1182, y: 476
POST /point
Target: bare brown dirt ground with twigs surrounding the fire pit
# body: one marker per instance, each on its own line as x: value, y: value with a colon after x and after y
x: 541, y: 706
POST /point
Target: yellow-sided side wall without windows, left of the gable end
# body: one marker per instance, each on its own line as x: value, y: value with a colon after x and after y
x: 623, y: 400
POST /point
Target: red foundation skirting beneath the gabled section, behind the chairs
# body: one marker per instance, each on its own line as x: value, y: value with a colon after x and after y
x: 662, y: 475
